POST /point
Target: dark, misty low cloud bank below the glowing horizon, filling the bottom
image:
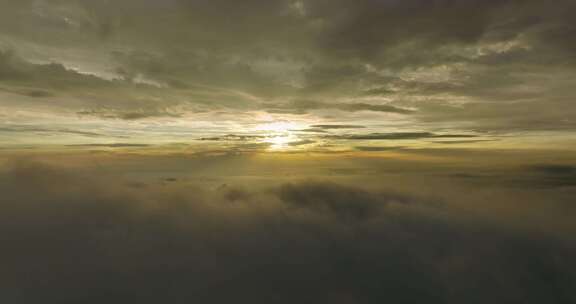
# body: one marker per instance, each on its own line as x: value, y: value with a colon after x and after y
x: 84, y: 237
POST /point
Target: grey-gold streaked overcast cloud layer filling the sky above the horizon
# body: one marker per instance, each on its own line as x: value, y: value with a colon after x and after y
x: 148, y: 68
